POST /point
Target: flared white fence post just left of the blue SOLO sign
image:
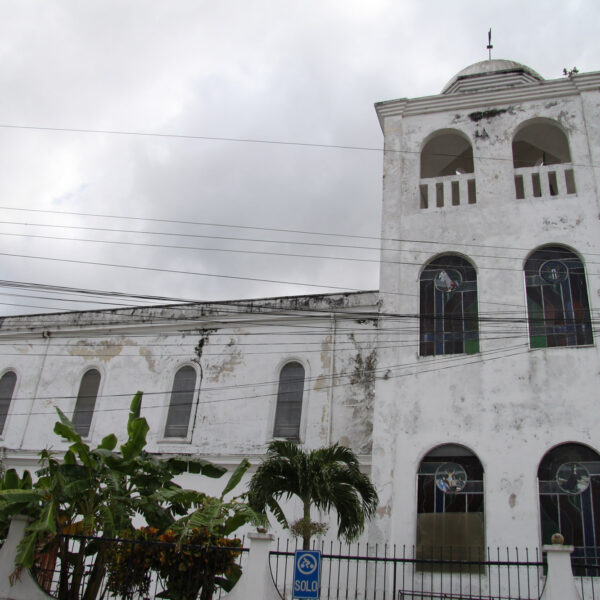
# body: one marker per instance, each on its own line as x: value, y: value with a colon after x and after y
x: 256, y: 580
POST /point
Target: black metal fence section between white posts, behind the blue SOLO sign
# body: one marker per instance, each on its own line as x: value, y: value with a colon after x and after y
x: 383, y: 572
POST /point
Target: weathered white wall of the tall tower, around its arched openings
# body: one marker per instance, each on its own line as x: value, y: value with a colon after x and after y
x: 508, y: 403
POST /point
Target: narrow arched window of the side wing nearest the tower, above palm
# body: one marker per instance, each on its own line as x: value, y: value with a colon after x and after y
x: 289, y: 402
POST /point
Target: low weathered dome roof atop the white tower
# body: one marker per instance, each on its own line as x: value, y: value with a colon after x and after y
x: 491, y: 74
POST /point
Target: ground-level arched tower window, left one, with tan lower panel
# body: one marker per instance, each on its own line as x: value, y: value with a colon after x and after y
x: 450, y: 511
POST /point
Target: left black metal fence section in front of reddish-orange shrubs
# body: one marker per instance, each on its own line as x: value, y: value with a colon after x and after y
x: 87, y: 568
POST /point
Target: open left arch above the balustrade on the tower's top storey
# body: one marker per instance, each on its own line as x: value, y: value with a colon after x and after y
x: 446, y: 154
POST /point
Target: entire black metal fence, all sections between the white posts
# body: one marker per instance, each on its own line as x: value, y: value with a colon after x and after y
x: 85, y: 568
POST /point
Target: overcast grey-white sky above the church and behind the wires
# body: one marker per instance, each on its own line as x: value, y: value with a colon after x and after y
x: 305, y: 71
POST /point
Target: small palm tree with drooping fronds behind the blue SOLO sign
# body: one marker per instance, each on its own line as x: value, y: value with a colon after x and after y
x: 325, y: 478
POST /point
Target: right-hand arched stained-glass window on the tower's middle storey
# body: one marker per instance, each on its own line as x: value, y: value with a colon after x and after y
x: 557, y: 301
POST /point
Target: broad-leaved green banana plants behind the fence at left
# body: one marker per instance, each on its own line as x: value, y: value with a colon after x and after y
x: 96, y: 492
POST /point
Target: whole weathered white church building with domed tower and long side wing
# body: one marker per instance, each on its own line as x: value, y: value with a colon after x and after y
x: 467, y: 384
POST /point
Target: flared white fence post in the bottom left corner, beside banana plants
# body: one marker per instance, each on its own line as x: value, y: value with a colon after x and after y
x: 25, y: 587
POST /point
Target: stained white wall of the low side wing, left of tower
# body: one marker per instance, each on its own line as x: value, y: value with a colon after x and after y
x: 237, y: 350
